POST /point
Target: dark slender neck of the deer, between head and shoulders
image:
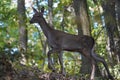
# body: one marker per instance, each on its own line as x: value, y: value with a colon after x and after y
x: 47, y: 30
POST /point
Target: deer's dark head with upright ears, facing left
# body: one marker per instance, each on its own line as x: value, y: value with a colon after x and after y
x: 36, y: 17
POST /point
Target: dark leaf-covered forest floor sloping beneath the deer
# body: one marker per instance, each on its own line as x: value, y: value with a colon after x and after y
x: 8, y: 72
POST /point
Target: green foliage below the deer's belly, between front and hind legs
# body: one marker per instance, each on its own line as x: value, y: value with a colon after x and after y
x: 72, y: 63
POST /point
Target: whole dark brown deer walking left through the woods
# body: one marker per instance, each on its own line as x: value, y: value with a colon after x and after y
x: 61, y: 41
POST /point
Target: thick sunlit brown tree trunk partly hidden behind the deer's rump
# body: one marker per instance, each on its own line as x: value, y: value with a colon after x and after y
x: 82, y: 22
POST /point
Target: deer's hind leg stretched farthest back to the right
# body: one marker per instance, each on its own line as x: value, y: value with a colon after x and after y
x: 100, y: 59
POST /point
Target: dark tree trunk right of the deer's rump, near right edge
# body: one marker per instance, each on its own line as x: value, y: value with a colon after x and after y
x: 111, y: 27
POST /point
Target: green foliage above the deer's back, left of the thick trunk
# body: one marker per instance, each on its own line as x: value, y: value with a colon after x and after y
x: 61, y: 12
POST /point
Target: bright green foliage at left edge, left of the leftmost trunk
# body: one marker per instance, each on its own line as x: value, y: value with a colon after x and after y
x: 7, y: 22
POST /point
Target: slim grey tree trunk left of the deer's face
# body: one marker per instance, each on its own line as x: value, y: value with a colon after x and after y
x: 22, y: 27
